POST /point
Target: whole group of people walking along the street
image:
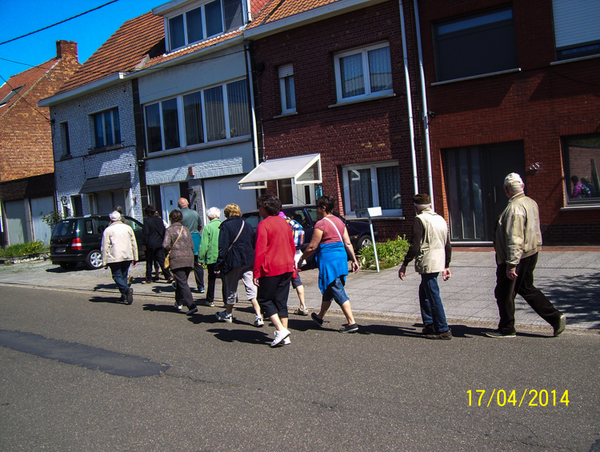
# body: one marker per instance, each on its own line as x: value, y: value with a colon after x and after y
x: 267, y: 262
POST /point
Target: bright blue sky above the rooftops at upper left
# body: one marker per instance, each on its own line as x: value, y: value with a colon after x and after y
x: 89, y: 31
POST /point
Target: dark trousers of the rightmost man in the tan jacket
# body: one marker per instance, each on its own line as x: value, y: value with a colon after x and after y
x: 506, y: 290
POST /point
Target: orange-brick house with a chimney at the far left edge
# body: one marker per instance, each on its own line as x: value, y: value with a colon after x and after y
x: 26, y: 163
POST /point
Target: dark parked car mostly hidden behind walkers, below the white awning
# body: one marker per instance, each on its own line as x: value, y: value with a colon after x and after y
x: 359, y: 231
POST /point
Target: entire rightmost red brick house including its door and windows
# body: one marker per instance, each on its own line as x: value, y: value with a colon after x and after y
x: 514, y: 87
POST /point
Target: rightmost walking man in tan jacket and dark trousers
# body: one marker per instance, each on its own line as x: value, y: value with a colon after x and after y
x: 517, y: 241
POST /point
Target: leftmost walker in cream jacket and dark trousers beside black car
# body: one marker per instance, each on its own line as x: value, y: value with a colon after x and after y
x: 119, y: 250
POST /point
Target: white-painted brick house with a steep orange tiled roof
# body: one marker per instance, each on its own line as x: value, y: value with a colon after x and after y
x: 96, y: 143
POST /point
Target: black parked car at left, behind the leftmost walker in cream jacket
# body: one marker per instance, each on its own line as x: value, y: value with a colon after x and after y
x: 79, y: 239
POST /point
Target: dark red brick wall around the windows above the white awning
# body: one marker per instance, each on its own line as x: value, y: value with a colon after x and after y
x: 370, y: 131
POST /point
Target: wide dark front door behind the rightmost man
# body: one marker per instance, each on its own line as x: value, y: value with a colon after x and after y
x: 474, y: 183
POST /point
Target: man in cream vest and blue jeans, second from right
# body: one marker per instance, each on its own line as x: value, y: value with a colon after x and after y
x: 431, y: 249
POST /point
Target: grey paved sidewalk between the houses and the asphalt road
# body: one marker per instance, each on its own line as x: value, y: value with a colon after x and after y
x: 570, y: 278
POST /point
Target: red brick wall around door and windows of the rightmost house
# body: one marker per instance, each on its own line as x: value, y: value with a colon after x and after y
x: 537, y: 107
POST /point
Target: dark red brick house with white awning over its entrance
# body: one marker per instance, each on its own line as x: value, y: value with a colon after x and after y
x: 330, y: 76
